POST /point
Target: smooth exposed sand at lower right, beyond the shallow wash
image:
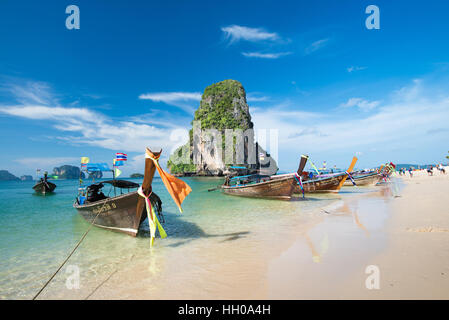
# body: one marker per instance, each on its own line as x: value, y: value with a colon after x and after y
x: 406, y: 237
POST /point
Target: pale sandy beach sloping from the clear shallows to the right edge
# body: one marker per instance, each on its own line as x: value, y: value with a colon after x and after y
x: 402, y: 230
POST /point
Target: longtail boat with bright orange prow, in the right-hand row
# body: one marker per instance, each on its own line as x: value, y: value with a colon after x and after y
x: 325, y: 183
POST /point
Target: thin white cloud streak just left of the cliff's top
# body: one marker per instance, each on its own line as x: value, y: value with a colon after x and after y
x: 181, y: 100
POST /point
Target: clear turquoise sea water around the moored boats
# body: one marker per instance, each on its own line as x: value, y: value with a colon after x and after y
x: 39, y: 231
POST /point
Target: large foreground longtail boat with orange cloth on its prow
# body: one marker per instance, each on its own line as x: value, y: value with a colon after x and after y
x: 125, y: 212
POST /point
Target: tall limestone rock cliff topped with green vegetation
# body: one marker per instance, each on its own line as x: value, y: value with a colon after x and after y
x: 212, y: 150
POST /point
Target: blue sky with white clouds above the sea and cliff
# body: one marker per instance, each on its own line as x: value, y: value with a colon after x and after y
x: 133, y: 73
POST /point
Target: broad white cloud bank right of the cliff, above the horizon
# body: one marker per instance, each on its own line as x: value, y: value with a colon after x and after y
x: 399, y: 122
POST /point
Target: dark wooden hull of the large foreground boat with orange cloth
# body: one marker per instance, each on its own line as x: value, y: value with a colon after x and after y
x: 117, y: 213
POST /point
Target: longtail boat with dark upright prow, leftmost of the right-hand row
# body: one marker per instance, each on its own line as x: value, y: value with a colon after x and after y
x: 278, y: 187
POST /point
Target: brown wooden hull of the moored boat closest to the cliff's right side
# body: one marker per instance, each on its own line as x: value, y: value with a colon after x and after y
x: 280, y: 189
